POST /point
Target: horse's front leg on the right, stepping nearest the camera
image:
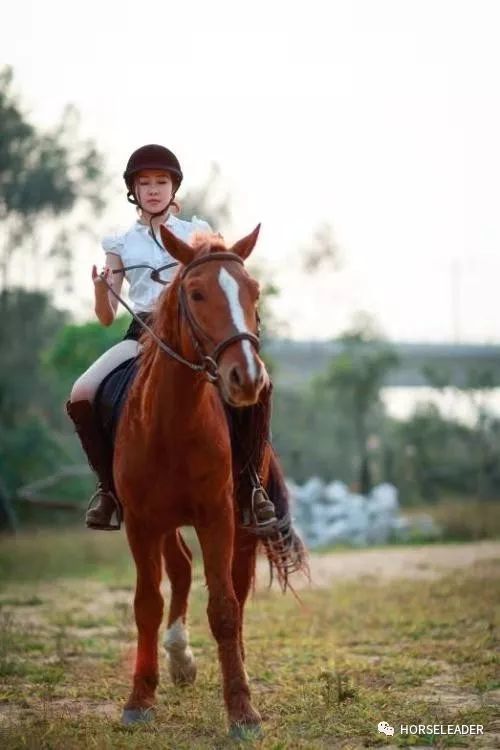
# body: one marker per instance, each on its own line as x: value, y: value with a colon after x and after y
x: 223, y: 611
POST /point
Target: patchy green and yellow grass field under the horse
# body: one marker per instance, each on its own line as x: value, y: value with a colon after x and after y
x: 366, y: 647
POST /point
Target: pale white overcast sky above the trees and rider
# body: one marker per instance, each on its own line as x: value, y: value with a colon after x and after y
x: 378, y: 117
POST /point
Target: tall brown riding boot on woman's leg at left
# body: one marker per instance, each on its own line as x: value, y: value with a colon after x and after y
x: 103, y: 502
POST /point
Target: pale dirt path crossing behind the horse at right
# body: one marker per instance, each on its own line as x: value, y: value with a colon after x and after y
x: 429, y: 562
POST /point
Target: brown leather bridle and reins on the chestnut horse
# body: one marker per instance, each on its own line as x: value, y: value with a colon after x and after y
x: 208, y: 362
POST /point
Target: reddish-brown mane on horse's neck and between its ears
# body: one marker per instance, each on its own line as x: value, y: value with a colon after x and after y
x: 164, y: 320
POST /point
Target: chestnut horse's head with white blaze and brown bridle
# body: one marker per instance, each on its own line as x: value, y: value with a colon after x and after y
x: 218, y: 311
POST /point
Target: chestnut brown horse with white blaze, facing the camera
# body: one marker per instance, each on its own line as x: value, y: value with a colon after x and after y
x: 173, y: 467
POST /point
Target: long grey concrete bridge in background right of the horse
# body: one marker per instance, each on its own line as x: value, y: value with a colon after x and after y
x: 298, y: 361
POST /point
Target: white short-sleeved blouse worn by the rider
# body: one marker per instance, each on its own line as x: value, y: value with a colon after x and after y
x: 137, y: 246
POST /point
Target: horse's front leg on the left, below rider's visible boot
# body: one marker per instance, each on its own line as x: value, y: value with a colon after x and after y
x: 148, y: 606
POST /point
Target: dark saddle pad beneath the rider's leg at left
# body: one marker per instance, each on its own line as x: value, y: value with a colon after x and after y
x: 111, y: 396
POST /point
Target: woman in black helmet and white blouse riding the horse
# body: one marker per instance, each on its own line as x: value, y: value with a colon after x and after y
x: 152, y: 177
